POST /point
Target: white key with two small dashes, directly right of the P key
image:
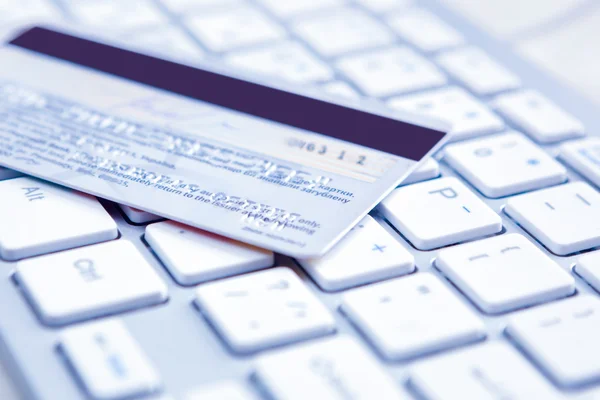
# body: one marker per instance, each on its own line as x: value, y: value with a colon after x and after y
x: 565, y: 218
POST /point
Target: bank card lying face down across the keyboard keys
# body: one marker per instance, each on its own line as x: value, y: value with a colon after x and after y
x: 254, y: 159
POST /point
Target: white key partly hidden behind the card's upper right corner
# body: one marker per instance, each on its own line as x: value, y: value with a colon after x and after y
x: 469, y: 116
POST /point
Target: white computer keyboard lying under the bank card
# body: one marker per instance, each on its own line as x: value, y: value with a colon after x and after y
x: 476, y: 279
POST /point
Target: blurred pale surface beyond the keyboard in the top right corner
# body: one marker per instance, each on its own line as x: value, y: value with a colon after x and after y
x: 560, y: 36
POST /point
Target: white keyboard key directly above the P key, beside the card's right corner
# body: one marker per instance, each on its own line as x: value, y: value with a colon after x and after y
x: 503, y: 165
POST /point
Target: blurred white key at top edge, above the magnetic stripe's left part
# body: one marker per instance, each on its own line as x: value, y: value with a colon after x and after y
x: 116, y: 15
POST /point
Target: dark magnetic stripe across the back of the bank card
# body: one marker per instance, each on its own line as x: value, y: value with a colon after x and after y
x: 377, y: 132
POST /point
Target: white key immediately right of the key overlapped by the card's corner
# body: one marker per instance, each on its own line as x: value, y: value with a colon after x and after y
x: 539, y: 117
